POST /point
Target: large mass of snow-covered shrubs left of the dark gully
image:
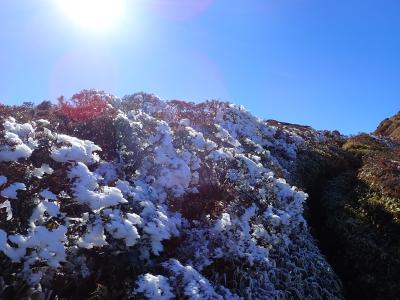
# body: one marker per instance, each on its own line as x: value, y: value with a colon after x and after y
x: 186, y: 203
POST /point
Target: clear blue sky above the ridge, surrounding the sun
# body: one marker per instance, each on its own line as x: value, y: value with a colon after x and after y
x: 328, y: 64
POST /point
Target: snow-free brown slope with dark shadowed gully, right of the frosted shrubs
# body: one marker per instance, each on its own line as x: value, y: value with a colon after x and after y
x: 354, y: 210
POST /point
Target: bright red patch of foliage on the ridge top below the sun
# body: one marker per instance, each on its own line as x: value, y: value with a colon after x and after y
x: 85, y: 105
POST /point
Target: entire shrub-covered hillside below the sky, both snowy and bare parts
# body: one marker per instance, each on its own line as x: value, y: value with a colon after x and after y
x: 139, y: 198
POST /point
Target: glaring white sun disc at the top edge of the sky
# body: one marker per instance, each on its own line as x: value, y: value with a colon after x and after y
x: 94, y: 15
